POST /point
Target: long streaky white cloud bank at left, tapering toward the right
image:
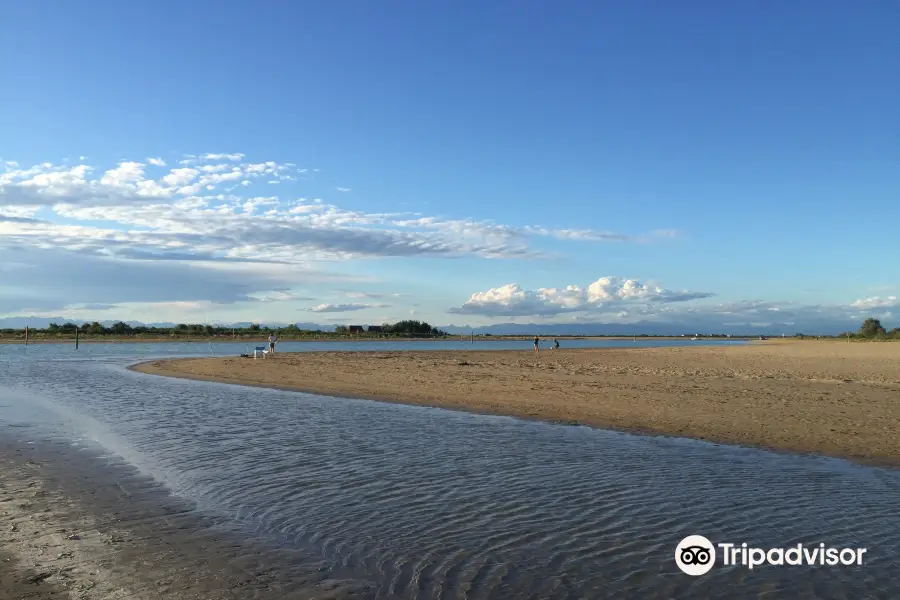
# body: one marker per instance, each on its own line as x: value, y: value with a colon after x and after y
x: 206, y: 209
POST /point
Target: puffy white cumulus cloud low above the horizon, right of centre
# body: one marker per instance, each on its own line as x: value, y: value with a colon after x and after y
x: 606, y: 292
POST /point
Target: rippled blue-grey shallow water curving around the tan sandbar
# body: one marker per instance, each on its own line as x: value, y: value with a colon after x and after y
x: 436, y: 504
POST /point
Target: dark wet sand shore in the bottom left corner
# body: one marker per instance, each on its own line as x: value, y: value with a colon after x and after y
x: 73, y: 526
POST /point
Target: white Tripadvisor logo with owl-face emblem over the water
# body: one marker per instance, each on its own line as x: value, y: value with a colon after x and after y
x: 696, y: 555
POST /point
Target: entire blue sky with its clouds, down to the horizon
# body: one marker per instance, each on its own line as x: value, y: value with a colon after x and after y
x: 707, y: 162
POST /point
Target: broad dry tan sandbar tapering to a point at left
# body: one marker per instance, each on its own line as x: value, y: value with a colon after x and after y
x: 829, y: 398
